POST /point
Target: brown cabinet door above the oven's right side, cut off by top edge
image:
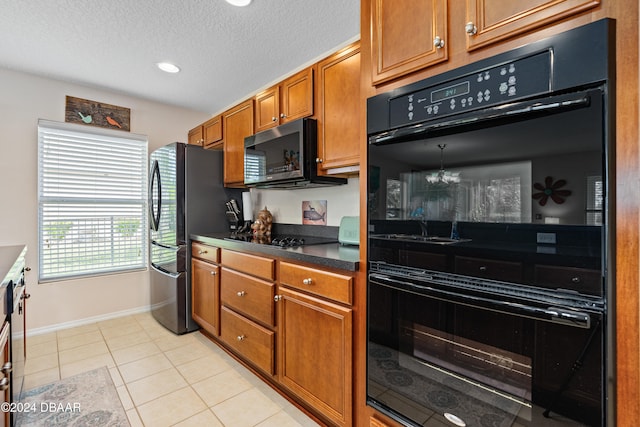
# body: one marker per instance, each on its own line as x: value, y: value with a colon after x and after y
x: 489, y: 21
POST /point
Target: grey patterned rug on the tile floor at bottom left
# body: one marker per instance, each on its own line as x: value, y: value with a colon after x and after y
x: 87, y: 399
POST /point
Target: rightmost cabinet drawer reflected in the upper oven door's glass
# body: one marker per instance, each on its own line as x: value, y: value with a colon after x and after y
x: 579, y: 279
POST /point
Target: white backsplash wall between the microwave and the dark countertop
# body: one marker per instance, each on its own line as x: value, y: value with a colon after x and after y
x: 286, y: 205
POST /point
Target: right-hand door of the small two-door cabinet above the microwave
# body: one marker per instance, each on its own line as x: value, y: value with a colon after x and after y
x: 297, y: 96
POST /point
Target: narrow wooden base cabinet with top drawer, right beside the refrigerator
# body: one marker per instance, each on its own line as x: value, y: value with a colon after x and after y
x: 205, y: 287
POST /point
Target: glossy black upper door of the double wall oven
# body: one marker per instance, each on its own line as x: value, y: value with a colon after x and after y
x: 515, y: 192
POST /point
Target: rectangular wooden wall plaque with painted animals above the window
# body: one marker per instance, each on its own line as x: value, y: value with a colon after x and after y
x: 94, y: 113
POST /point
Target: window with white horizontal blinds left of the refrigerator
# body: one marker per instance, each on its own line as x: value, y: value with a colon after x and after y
x: 92, y: 200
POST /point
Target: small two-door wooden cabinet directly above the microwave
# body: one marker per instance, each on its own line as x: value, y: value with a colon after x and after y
x: 290, y: 100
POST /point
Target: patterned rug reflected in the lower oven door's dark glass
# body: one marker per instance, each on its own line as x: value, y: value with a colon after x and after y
x: 440, y: 394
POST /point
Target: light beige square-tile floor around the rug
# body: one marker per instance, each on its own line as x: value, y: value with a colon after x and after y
x: 162, y: 379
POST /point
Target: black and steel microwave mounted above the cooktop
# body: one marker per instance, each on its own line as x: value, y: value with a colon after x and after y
x: 285, y: 157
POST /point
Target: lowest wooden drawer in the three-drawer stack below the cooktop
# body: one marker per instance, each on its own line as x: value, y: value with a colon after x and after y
x: 250, y: 340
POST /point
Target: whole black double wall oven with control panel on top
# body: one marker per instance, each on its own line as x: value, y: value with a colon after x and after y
x: 489, y: 239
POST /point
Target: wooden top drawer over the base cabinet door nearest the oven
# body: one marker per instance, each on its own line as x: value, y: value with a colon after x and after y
x: 323, y: 283
